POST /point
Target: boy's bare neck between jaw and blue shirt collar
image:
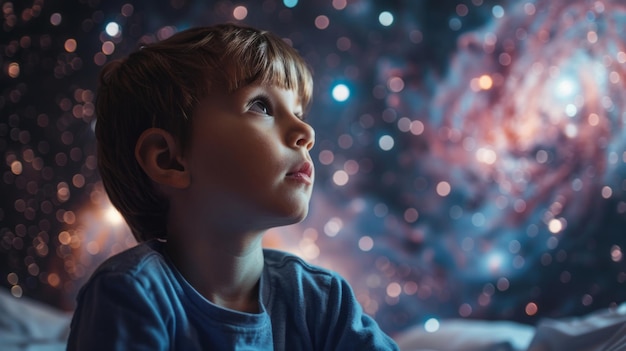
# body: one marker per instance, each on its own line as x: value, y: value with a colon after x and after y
x: 227, y: 275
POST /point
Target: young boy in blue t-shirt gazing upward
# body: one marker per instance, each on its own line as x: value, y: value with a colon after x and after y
x: 202, y: 147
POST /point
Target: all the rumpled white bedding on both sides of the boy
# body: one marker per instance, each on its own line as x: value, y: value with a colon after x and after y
x: 27, y: 325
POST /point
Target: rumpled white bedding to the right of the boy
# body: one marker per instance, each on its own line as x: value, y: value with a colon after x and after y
x: 603, y: 330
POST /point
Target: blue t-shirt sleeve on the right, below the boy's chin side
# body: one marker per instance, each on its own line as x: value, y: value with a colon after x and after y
x: 349, y: 328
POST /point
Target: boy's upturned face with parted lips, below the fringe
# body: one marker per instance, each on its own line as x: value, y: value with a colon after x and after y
x: 249, y: 159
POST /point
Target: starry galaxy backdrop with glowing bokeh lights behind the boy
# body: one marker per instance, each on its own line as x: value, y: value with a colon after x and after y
x: 470, y: 155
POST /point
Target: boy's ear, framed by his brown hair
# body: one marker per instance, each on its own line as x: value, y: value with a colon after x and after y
x: 160, y: 157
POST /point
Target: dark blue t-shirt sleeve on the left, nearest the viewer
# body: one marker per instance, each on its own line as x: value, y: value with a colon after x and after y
x: 117, y: 312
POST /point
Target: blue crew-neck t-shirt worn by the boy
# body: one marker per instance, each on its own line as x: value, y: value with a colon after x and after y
x: 137, y: 300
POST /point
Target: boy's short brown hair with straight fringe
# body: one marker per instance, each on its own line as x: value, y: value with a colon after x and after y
x: 160, y: 85
